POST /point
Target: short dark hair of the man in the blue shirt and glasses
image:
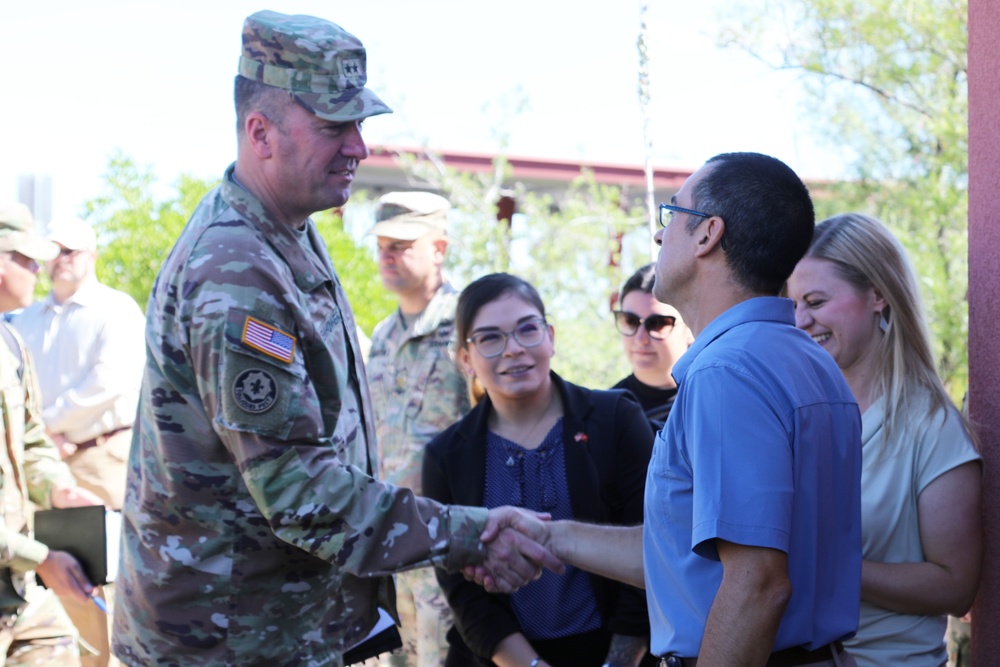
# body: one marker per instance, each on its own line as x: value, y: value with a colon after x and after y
x: 768, y: 214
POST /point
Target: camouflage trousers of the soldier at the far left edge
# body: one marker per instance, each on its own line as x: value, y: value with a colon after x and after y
x: 41, y: 634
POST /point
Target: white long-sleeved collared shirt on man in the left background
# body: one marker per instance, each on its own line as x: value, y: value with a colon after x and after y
x: 89, y: 353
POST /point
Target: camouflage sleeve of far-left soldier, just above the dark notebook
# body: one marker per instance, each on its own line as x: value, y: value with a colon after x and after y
x: 44, y: 468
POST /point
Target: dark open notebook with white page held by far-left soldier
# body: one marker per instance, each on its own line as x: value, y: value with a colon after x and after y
x: 90, y: 534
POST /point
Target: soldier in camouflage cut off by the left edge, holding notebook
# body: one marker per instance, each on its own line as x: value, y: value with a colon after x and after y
x: 34, y: 628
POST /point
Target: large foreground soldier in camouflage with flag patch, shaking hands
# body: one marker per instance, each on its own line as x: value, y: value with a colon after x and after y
x: 254, y: 531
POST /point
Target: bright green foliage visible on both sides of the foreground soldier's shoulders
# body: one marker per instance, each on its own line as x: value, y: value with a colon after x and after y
x: 136, y: 232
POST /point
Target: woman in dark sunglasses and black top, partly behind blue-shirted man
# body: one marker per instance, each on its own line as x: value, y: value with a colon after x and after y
x: 654, y: 337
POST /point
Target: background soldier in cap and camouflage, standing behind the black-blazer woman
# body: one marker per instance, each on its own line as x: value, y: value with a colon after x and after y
x: 417, y: 389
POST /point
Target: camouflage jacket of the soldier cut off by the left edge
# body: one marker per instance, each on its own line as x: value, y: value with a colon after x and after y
x: 30, y: 468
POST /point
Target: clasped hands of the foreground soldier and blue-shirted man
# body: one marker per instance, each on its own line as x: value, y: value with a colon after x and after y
x: 515, y: 551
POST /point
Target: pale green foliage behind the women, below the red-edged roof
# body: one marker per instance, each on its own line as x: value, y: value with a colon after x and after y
x: 576, y: 251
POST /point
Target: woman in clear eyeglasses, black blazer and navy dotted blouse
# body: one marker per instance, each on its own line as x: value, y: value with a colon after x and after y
x: 536, y: 441
